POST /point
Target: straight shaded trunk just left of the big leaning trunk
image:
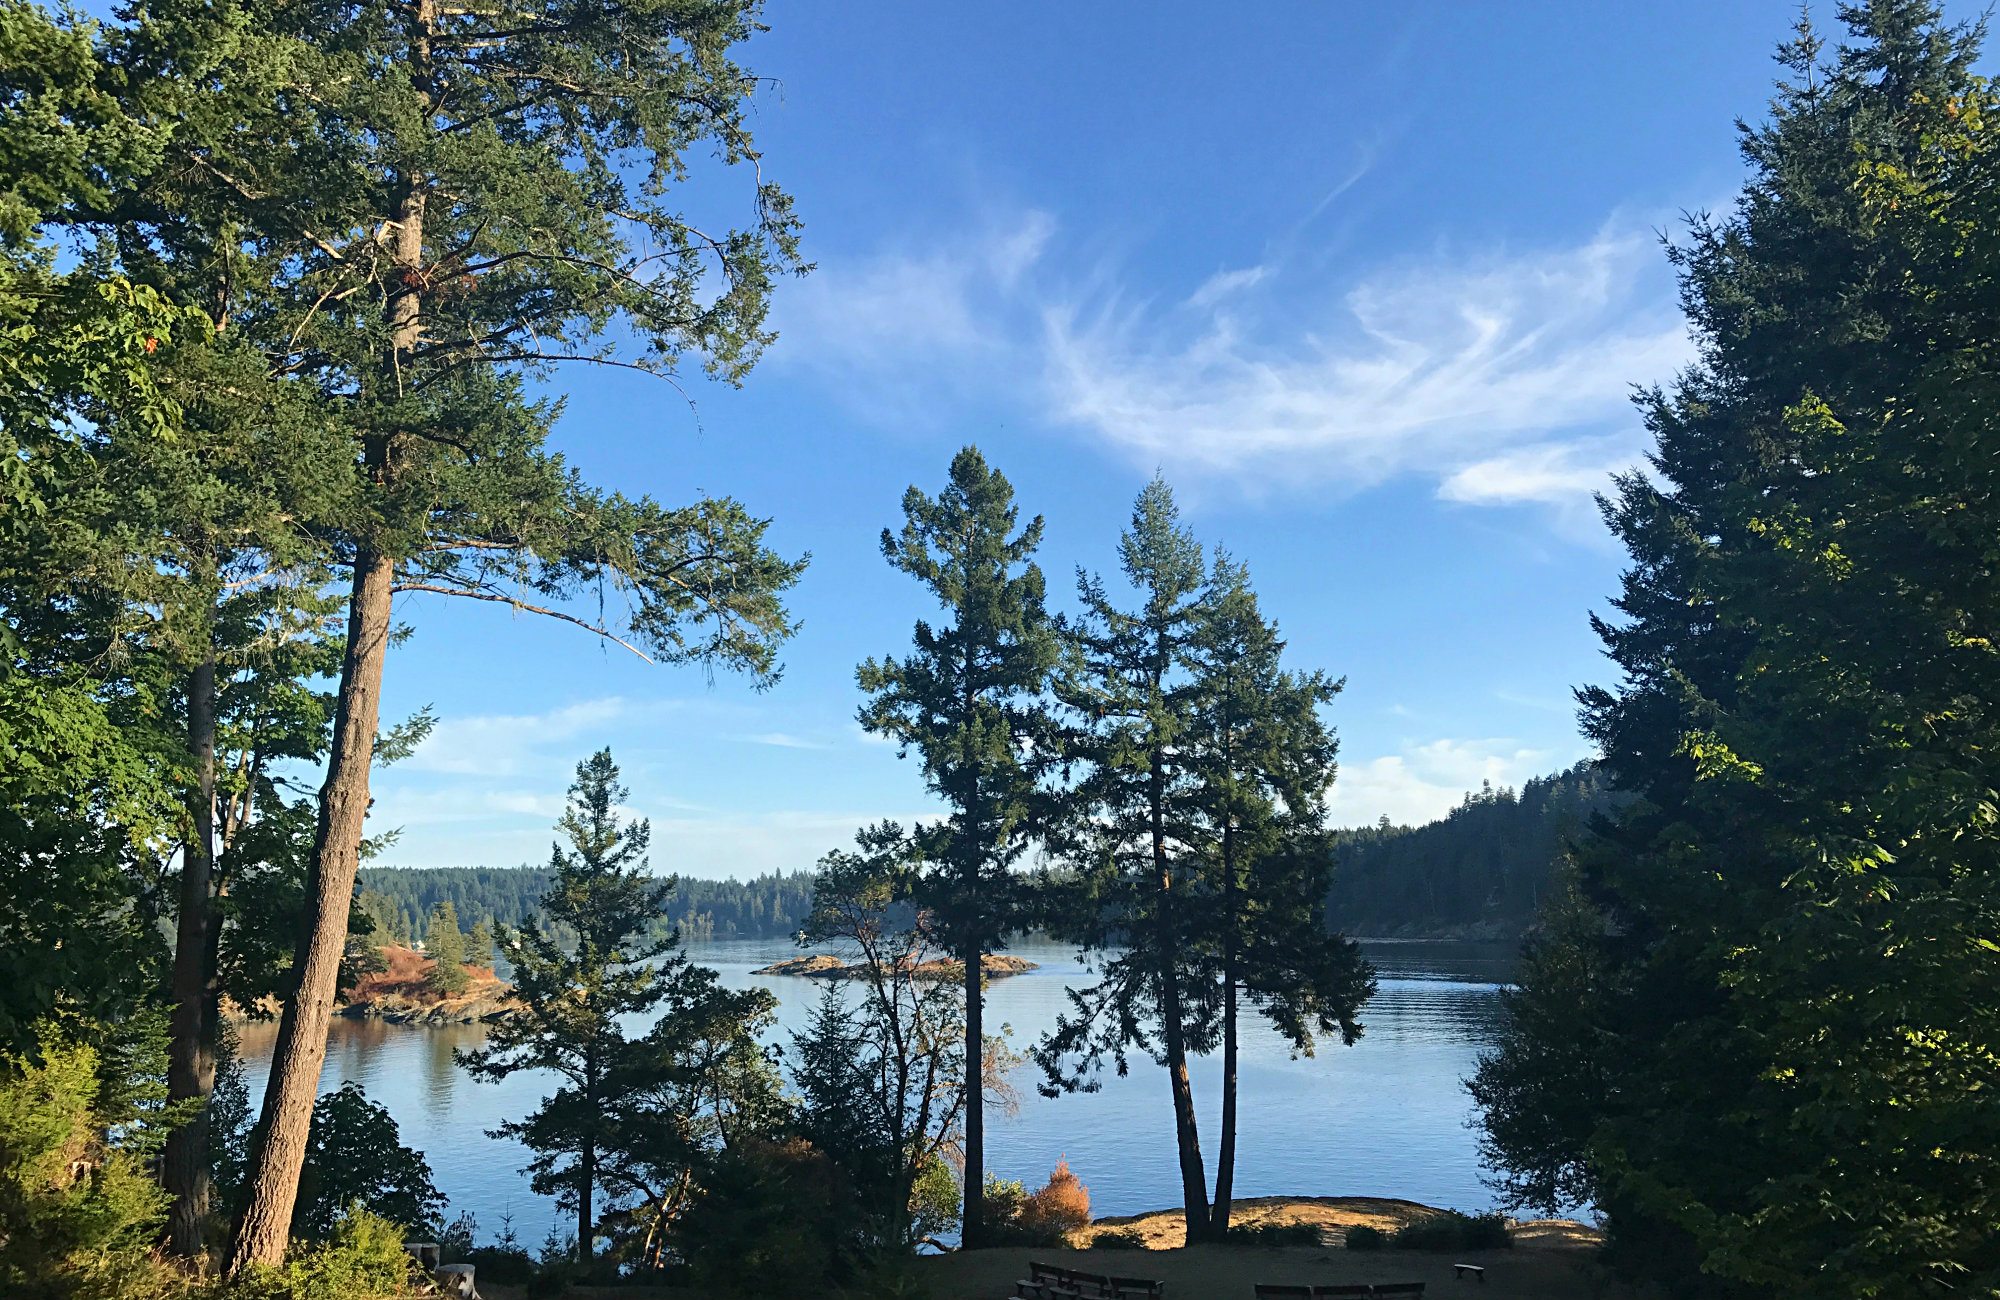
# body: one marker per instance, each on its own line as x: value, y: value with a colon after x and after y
x: 191, y: 1067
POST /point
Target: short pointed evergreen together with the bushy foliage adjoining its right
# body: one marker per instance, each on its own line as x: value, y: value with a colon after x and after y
x: 633, y: 1117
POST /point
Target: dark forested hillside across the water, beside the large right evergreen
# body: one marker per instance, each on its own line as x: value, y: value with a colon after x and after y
x: 1479, y: 871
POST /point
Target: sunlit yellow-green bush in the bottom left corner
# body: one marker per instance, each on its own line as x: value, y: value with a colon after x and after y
x: 79, y: 1213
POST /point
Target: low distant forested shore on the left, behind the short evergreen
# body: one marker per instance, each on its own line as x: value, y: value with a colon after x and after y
x: 401, y: 901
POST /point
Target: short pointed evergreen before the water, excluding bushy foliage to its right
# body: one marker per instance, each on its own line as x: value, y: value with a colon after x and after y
x: 573, y: 999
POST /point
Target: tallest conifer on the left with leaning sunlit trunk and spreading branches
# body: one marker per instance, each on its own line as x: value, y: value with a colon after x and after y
x: 413, y: 213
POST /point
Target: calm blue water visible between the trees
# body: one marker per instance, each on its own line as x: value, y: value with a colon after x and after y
x: 1381, y: 1119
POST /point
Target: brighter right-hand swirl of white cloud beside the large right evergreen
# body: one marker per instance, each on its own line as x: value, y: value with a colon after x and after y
x: 1449, y: 369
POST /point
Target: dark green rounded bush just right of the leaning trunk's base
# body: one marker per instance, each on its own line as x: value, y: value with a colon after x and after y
x: 355, y: 1157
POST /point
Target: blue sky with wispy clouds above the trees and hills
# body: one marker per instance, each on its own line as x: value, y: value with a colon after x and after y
x: 1369, y: 285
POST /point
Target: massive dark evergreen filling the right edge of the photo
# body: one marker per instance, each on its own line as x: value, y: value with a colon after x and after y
x: 1795, y: 1037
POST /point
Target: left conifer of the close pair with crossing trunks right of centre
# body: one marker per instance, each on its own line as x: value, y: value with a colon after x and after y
x: 1143, y: 893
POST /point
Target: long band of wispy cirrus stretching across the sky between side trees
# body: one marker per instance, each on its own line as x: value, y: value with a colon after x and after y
x: 1501, y: 377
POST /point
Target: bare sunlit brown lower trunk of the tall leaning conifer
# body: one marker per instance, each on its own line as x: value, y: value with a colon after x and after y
x: 301, y: 1053
